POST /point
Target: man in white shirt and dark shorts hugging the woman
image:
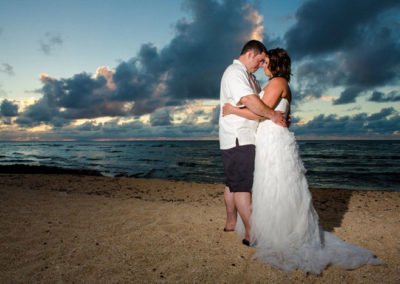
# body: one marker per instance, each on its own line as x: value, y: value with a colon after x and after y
x: 237, y: 135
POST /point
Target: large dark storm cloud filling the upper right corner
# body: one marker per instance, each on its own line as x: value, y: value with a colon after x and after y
x: 324, y: 26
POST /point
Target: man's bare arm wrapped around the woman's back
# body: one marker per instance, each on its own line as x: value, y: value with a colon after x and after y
x: 254, y: 103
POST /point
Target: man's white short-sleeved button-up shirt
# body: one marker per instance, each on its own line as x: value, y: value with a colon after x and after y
x: 235, y: 84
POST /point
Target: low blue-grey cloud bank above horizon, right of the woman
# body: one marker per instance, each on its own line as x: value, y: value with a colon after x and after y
x: 385, y: 122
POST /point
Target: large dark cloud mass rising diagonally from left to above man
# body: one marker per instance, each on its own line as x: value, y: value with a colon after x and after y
x: 189, y: 67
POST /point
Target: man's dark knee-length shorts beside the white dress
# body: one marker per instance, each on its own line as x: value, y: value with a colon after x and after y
x: 238, y: 165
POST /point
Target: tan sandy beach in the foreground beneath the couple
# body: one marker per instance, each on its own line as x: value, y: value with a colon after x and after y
x: 95, y: 229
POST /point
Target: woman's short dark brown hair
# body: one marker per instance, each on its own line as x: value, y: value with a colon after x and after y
x: 279, y: 63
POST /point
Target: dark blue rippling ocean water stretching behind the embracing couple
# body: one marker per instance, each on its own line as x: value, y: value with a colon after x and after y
x: 360, y: 165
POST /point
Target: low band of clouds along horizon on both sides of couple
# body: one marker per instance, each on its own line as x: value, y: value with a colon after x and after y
x: 382, y: 124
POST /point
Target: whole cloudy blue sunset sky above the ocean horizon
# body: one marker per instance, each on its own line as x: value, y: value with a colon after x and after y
x: 151, y: 69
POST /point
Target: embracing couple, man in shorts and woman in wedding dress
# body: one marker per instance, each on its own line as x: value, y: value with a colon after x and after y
x: 267, y: 199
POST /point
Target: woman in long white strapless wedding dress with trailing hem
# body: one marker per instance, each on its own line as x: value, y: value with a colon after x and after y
x: 284, y: 223
